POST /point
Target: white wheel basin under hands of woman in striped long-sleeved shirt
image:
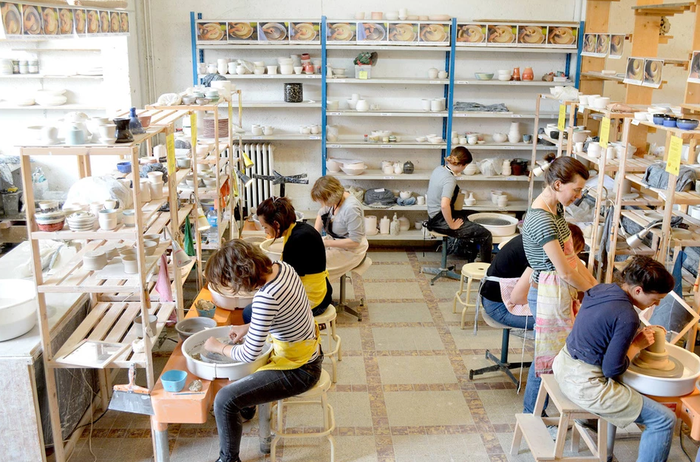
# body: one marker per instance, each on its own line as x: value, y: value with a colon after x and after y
x: 211, y: 371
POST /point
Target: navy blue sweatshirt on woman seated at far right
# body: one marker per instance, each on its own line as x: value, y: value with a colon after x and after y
x: 604, y: 329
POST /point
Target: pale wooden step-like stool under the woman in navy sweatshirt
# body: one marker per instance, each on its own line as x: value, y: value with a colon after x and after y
x: 534, y: 428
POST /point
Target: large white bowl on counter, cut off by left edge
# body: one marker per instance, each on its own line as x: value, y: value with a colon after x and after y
x: 18, y: 305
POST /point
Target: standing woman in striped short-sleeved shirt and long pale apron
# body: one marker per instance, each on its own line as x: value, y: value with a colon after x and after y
x: 557, y: 271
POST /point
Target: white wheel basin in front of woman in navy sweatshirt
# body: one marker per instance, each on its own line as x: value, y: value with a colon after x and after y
x: 658, y: 386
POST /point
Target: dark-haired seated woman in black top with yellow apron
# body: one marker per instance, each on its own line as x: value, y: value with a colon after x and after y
x: 303, y: 250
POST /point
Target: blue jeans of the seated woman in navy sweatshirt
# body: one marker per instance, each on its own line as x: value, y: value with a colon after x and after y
x: 659, y: 421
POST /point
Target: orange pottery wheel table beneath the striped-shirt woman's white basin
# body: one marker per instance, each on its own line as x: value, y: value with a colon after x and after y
x: 194, y: 408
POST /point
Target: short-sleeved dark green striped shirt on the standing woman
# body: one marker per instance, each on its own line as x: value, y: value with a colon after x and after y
x: 539, y: 228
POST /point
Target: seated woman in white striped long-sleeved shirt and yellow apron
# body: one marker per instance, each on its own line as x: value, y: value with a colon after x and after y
x: 281, y: 309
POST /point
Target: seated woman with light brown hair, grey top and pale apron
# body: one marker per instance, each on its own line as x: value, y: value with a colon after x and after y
x: 342, y: 219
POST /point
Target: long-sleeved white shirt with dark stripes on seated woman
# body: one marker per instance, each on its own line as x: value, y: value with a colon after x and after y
x: 280, y: 308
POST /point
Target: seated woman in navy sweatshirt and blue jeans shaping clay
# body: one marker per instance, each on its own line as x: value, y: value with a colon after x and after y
x: 604, y: 341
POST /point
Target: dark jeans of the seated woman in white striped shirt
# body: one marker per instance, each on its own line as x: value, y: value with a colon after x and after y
x: 258, y: 388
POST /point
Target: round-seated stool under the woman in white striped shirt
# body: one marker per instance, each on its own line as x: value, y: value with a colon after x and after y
x: 318, y: 391
